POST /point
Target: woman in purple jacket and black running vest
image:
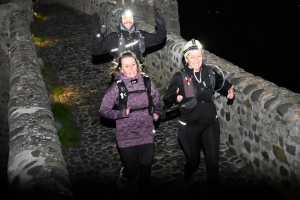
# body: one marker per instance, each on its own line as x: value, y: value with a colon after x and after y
x: 134, y: 124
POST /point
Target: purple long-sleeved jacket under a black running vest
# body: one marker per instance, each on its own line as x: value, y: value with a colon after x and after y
x: 137, y: 128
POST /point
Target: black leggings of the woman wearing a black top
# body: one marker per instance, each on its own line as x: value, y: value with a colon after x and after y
x: 196, y: 137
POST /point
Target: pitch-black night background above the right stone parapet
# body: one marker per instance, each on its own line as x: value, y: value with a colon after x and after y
x: 261, y: 37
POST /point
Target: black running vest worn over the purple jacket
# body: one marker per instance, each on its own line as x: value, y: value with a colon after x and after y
x: 123, y: 95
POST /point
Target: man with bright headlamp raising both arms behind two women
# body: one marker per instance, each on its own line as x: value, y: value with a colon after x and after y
x: 128, y: 37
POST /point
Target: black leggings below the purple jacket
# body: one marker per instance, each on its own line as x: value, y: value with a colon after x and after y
x: 138, y: 159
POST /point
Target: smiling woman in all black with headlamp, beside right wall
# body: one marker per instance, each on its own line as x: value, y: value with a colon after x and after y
x: 198, y: 127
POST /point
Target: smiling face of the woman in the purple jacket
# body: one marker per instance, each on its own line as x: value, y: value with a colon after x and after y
x: 129, y: 67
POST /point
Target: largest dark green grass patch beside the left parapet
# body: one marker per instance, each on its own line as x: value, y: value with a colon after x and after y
x: 69, y: 134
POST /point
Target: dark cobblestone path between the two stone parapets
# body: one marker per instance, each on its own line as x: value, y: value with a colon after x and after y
x: 94, y: 165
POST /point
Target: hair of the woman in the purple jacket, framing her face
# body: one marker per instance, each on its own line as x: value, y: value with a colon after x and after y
x: 115, y: 70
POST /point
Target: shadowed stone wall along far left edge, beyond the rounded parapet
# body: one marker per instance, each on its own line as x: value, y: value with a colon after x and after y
x: 6, y: 8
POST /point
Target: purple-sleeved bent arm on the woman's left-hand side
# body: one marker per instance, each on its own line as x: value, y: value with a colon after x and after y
x: 108, y: 102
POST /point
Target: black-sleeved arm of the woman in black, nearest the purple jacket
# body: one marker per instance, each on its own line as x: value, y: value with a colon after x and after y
x: 171, y: 95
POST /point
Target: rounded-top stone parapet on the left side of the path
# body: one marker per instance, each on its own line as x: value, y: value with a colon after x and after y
x: 35, y: 161
